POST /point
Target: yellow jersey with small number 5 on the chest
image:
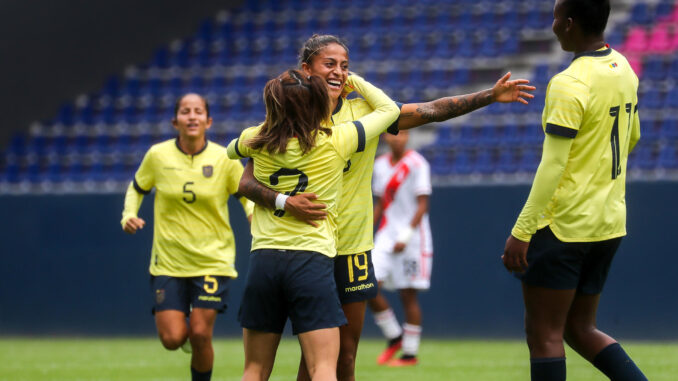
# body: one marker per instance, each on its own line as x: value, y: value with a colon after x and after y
x: 192, y: 235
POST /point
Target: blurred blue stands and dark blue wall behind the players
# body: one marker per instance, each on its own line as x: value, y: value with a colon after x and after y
x: 88, y: 87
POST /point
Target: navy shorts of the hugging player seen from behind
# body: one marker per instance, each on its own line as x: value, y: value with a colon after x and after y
x: 290, y: 284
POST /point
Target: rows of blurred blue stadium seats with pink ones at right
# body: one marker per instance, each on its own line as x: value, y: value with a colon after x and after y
x: 413, y: 52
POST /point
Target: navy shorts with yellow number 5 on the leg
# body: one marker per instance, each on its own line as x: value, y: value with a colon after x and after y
x: 173, y: 293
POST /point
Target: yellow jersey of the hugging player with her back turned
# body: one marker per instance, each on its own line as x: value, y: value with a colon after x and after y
x: 319, y: 171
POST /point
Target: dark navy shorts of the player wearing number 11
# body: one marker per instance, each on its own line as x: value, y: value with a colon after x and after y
x: 568, y: 265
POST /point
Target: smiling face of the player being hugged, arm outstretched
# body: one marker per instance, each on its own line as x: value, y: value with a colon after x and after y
x: 331, y: 64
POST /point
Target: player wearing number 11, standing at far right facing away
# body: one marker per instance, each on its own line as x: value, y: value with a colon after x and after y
x: 566, y: 236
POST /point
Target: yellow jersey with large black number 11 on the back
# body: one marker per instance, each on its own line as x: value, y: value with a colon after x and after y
x: 594, y: 101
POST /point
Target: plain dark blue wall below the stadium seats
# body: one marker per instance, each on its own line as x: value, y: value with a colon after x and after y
x: 67, y: 268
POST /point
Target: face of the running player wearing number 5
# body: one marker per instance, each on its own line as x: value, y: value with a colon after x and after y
x: 191, y: 119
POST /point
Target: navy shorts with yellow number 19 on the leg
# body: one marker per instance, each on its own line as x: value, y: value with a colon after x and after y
x: 354, y: 275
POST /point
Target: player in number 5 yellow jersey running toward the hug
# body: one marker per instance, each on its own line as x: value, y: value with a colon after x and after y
x: 193, y: 255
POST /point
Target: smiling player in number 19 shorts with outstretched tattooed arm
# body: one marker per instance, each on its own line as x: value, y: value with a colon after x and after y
x: 327, y: 56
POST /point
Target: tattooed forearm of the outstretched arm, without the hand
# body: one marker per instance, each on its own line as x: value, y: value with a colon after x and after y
x: 451, y: 107
